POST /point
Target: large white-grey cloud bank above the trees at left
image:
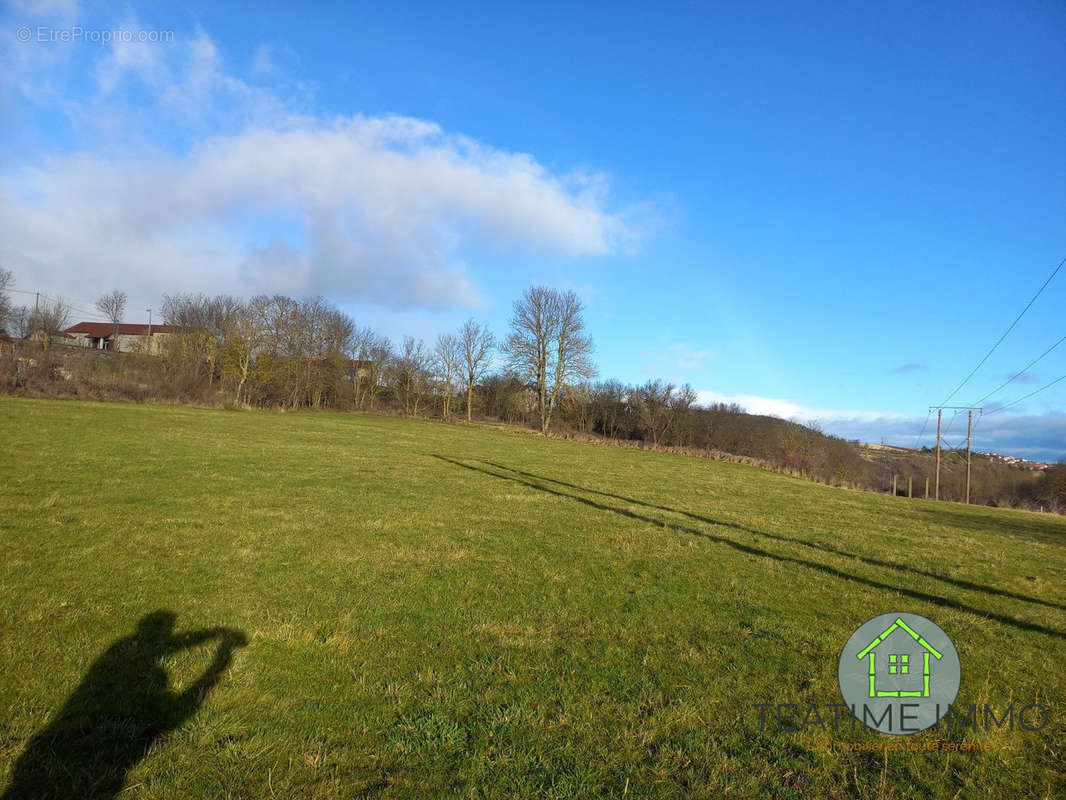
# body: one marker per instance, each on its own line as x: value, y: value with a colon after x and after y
x: 257, y: 198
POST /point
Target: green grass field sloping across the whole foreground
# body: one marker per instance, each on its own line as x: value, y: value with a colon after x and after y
x: 406, y: 609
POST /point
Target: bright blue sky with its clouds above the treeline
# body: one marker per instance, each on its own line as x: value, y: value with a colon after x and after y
x: 825, y: 213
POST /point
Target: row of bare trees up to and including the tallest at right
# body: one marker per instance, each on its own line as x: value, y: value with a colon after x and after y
x: 274, y: 350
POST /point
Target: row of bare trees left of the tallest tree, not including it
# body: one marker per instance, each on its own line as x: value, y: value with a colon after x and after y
x: 274, y: 350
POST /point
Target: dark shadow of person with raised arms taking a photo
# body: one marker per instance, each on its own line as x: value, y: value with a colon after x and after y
x: 123, y: 706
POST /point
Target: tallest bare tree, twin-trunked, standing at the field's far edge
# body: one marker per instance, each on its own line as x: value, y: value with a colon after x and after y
x: 548, y: 345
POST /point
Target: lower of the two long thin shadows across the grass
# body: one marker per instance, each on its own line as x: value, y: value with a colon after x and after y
x: 753, y: 551
